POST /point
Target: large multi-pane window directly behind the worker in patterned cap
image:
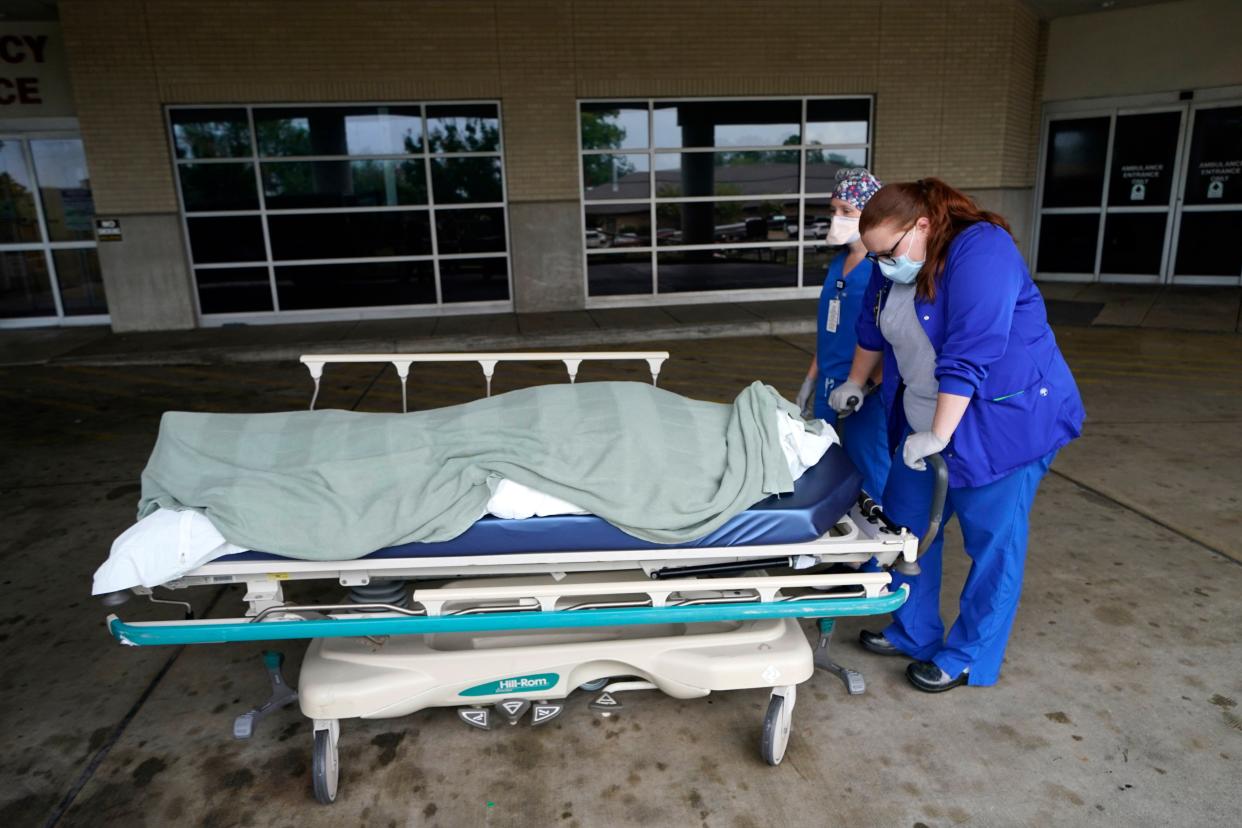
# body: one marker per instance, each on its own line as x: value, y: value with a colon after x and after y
x: 691, y: 197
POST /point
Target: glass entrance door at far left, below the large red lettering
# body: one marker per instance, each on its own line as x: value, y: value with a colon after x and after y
x: 49, y: 265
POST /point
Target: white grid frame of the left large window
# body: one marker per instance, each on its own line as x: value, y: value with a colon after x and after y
x: 343, y: 313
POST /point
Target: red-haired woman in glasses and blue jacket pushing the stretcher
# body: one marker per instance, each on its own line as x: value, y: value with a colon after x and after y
x: 973, y: 372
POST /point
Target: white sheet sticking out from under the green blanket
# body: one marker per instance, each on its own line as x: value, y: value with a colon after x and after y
x: 168, y: 544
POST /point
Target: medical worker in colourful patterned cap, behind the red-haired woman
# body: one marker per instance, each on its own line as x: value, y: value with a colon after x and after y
x: 864, y: 434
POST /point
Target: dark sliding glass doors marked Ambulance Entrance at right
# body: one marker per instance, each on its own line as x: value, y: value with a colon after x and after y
x: 1142, y: 196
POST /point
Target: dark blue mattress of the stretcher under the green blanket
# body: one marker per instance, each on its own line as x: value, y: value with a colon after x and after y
x: 820, y: 498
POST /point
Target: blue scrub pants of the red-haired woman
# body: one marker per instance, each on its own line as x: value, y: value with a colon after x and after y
x: 994, y: 521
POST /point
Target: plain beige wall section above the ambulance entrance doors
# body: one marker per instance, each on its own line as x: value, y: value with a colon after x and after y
x: 1164, y: 48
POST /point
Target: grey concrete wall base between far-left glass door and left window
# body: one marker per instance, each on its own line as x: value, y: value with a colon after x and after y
x: 146, y: 276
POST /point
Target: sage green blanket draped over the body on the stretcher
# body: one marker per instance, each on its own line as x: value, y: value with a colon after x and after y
x: 341, y: 485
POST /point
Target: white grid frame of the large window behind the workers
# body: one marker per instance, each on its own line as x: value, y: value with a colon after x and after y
x: 696, y: 297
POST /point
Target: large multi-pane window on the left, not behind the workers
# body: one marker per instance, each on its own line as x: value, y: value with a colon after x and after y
x: 327, y: 208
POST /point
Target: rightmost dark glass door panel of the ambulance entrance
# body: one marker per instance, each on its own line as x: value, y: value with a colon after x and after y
x: 1210, y: 213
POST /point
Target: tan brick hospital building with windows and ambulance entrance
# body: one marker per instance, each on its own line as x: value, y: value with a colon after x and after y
x: 177, y: 164
